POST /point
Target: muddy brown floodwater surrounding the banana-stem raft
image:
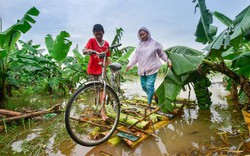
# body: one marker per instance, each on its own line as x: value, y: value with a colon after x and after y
x: 195, y: 130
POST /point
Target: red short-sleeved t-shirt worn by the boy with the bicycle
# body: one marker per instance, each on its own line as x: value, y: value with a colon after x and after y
x: 93, y: 67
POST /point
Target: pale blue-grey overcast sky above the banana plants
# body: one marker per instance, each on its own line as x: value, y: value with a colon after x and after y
x: 171, y: 22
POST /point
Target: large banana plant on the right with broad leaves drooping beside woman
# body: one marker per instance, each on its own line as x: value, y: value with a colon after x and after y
x: 227, y: 53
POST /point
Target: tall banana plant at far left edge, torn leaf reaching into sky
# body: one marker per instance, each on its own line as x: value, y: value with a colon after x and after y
x: 8, y: 39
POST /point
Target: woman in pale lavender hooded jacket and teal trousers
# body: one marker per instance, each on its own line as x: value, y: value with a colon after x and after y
x: 148, y: 54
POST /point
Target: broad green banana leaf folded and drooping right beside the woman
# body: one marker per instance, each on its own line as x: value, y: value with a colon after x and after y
x: 185, y: 60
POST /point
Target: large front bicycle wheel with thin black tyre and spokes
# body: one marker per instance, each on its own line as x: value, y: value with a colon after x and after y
x: 82, y: 119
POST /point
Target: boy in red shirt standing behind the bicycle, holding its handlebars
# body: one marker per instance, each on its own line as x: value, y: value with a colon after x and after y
x: 94, y: 69
